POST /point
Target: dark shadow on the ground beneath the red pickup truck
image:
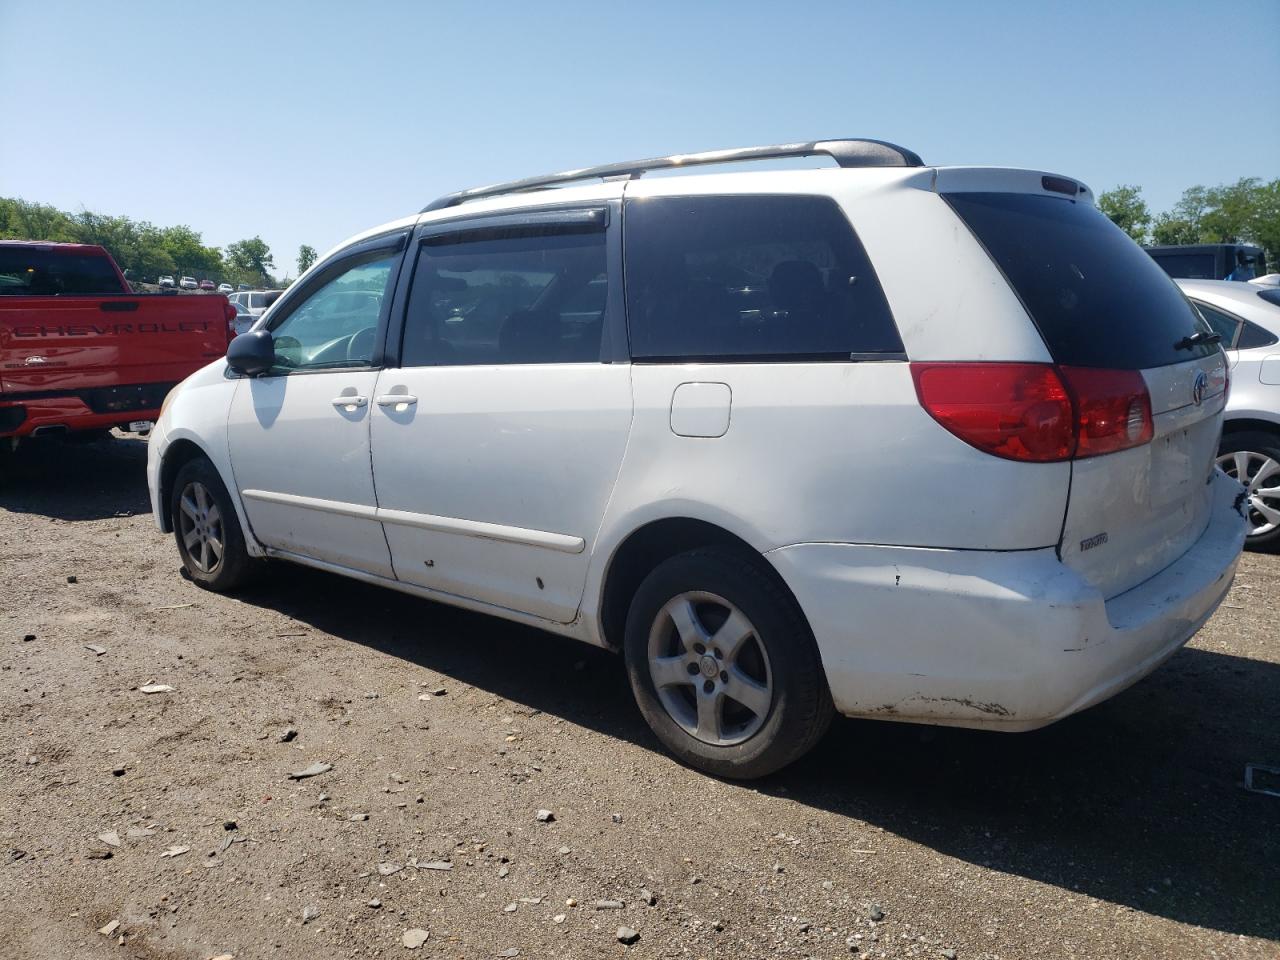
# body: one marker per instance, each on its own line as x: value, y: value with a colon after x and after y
x: 76, y: 481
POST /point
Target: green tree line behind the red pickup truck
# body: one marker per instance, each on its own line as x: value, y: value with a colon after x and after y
x: 145, y: 252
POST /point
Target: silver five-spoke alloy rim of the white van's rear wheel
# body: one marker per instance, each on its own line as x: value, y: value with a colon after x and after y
x: 710, y: 669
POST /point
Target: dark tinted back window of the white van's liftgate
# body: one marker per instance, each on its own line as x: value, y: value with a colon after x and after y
x: 1098, y: 299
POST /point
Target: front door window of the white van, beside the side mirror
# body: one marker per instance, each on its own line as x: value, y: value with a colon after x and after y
x: 337, y: 324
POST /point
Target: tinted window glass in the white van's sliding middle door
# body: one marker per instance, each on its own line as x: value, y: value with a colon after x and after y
x: 508, y: 299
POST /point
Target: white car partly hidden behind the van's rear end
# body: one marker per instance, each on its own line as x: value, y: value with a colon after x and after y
x: 1247, y: 317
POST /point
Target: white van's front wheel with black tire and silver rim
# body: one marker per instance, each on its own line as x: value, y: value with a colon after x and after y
x: 208, y: 531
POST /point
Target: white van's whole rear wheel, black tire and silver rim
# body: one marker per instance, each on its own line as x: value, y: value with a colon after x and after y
x: 758, y: 647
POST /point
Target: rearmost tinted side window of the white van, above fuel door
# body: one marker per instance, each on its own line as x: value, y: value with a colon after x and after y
x: 751, y: 278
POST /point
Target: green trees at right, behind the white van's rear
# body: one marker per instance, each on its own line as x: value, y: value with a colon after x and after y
x: 1246, y: 212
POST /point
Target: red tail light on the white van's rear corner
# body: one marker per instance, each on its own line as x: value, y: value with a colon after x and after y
x: 1037, y: 413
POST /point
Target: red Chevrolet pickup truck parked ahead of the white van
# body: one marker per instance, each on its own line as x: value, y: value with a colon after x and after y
x: 81, y: 353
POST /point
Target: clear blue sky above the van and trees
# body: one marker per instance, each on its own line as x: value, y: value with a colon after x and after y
x: 308, y: 122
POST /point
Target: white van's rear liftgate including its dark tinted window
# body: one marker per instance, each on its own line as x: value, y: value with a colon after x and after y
x: 1103, y: 305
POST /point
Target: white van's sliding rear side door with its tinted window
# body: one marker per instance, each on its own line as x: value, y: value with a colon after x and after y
x: 499, y: 438
